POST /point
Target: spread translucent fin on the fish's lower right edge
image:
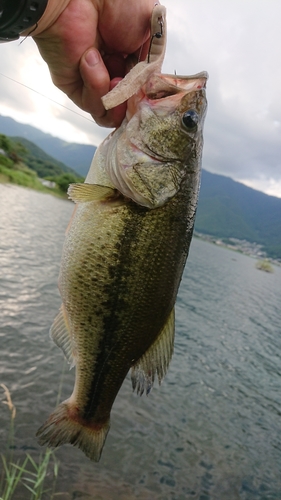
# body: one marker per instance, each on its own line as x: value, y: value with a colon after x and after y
x: 155, y: 360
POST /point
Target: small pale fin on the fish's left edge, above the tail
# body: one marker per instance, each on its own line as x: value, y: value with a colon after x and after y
x: 61, y: 336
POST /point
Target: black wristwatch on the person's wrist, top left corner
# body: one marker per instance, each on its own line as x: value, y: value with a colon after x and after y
x: 18, y: 15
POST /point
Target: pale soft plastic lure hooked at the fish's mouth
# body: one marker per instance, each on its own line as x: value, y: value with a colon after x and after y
x: 140, y: 73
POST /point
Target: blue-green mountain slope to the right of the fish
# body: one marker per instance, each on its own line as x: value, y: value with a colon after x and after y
x: 229, y: 209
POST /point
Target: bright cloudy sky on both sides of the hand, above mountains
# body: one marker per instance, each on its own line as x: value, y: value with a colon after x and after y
x: 237, y: 41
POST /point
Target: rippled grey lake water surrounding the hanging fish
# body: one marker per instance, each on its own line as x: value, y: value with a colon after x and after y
x: 212, y: 431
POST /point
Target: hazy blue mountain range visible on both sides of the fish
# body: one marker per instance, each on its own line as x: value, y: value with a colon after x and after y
x: 226, y: 209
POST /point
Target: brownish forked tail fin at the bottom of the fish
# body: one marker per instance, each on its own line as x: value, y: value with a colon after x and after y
x: 62, y: 427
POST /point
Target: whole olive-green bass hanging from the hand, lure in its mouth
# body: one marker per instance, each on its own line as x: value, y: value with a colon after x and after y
x: 125, y: 249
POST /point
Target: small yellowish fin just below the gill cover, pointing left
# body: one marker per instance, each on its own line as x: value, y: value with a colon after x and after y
x: 82, y: 193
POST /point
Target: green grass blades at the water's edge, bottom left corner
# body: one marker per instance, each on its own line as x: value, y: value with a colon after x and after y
x: 28, y: 473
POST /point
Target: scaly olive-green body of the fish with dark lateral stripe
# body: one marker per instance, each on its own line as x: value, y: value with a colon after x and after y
x: 128, y: 274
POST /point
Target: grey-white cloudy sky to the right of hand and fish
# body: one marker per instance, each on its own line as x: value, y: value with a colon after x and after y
x: 242, y: 44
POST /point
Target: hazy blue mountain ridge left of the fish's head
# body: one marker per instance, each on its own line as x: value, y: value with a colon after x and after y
x: 76, y: 156
